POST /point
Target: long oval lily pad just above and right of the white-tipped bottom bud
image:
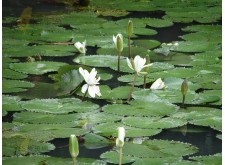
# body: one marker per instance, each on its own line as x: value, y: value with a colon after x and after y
x: 154, y: 123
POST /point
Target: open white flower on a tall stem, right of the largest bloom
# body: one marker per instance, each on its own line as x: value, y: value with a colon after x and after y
x: 139, y: 64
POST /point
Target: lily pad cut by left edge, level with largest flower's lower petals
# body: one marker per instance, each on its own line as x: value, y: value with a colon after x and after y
x: 12, y: 86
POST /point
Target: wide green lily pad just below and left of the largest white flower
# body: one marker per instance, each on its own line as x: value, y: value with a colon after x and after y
x: 58, y: 106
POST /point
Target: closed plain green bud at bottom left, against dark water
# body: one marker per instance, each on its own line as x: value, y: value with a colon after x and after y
x: 73, y: 146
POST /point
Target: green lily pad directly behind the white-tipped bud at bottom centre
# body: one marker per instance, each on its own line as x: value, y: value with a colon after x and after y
x: 110, y: 129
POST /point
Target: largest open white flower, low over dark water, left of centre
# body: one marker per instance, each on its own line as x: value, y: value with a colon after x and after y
x: 90, y: 79
